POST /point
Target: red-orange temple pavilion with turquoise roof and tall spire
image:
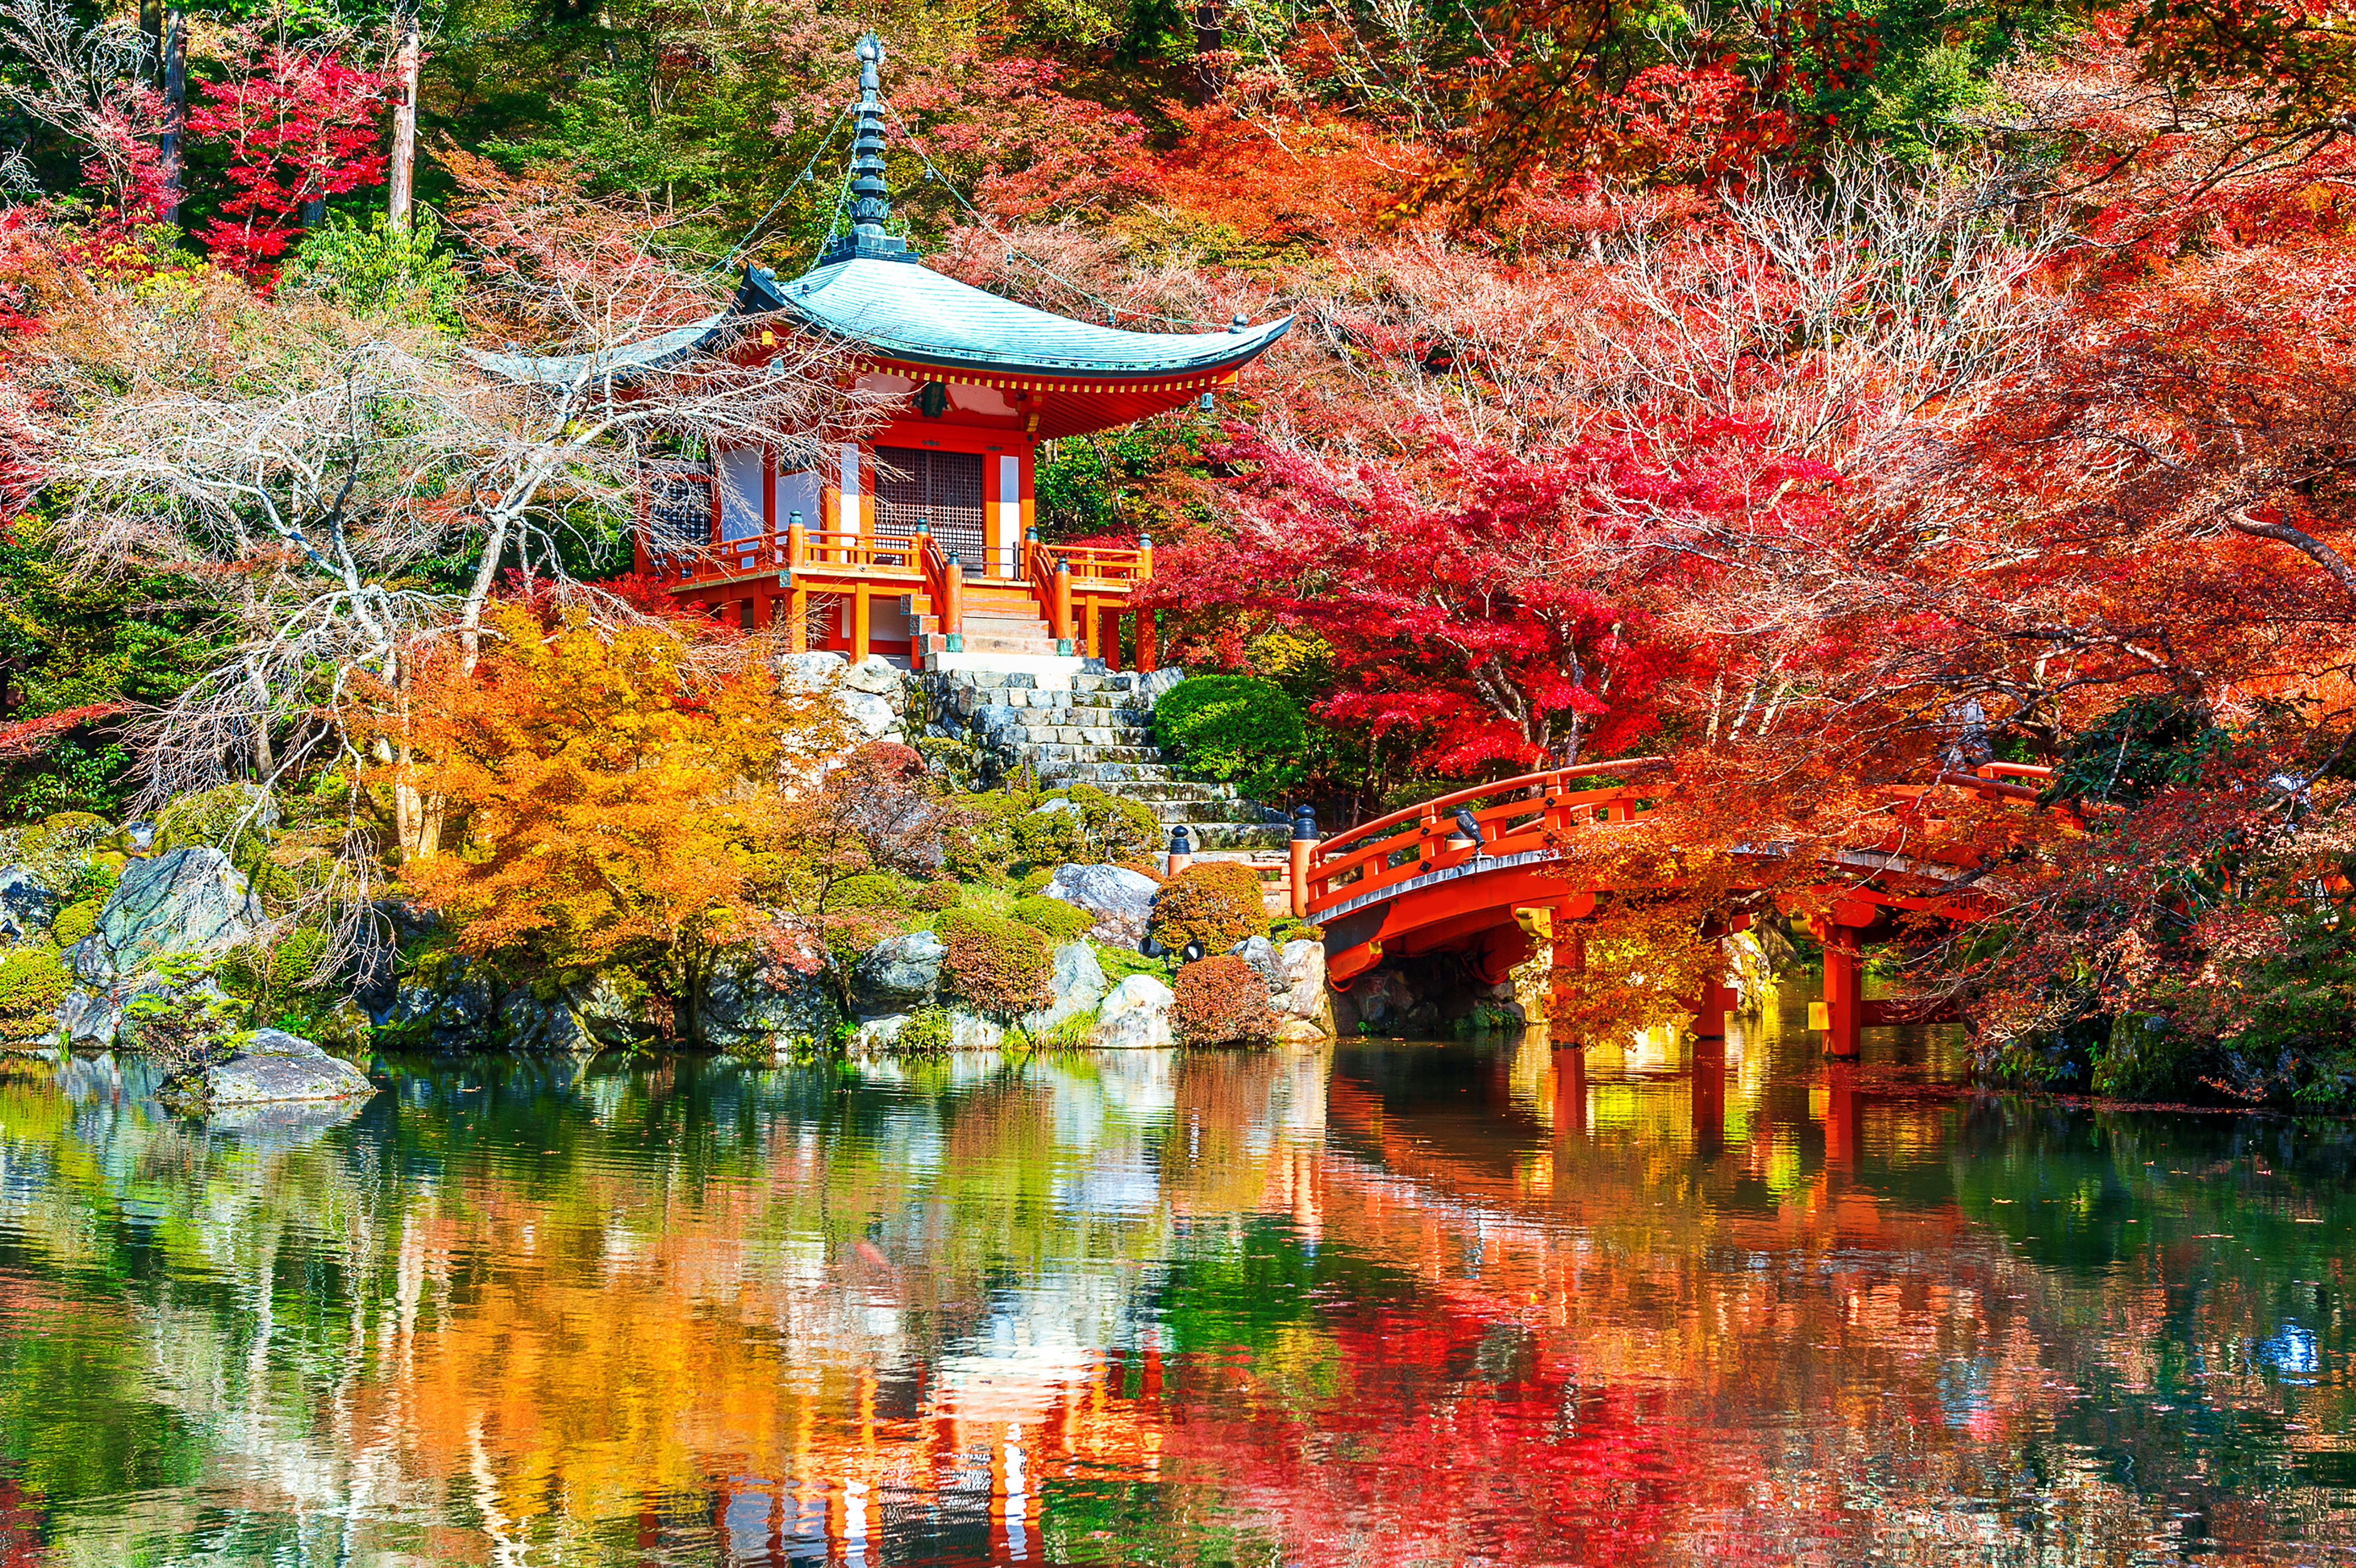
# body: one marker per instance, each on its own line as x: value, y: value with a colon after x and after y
x: 920, y: 543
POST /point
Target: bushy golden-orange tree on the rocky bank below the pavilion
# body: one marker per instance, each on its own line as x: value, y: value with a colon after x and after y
x: 609, y: 792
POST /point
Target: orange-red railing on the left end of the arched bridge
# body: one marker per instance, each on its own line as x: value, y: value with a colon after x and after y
x: 1514, y: 816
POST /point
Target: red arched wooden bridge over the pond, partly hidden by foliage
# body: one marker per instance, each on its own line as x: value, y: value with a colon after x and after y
x: 1488, y: 870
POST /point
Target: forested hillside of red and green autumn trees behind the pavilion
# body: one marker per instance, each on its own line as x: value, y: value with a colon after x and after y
x: 1818, y: 397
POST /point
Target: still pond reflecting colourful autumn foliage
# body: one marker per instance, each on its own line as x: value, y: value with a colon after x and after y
x: 1382, y: 1303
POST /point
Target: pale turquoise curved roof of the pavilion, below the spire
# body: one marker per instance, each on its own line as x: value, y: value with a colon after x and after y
x: 908, y: 312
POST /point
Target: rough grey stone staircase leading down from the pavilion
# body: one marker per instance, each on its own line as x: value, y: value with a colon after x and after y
x: 1090, y: 726
